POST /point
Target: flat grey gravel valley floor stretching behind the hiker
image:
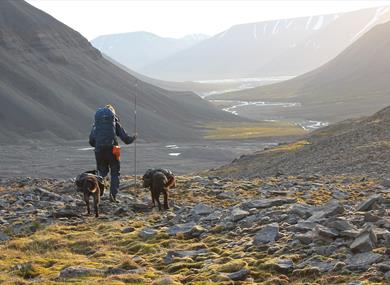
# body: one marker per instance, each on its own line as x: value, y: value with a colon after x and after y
x: 73, y: 158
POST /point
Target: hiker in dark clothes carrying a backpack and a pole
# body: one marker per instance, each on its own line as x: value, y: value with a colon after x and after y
x: 104, y: 138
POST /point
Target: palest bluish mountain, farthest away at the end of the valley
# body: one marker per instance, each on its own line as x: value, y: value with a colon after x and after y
x: 139, y: 49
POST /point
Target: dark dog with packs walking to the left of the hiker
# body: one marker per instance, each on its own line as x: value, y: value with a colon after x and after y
x: 90, y: 184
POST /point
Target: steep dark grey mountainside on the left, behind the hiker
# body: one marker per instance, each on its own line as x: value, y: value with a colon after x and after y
x: 52, y: 80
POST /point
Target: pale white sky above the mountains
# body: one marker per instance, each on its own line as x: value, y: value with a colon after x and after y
x: 178, y: 18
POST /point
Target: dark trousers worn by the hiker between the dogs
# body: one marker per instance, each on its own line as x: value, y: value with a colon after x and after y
x: 105, y: 162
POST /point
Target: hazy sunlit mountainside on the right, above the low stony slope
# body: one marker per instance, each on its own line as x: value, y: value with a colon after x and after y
x: 355, y: 83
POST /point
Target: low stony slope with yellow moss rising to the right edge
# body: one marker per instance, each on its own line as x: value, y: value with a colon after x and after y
x: 354, y: 147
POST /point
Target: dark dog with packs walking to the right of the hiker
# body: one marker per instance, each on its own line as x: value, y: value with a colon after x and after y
x: 159, y: 181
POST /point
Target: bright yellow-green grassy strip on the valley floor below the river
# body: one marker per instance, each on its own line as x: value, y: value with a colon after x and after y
x: 229, y: 131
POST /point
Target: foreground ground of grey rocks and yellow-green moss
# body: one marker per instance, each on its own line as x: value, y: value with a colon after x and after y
x: 285, y: 230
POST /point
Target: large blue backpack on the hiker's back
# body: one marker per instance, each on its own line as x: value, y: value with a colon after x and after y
x: 105, y: 134
